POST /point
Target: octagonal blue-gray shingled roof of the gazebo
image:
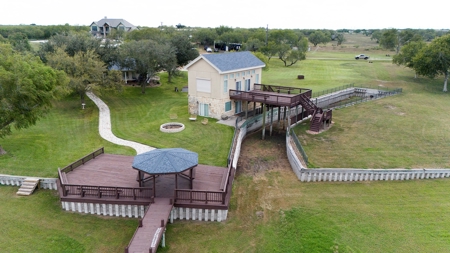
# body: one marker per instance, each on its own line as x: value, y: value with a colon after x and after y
x: 165, y: 161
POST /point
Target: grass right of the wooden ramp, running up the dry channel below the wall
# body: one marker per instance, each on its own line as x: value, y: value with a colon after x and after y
x: 271, y: 211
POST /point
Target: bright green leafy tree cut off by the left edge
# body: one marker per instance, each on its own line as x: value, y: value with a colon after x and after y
x: 27, y: 88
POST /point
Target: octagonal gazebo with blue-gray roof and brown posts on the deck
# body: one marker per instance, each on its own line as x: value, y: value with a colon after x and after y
x: 165, y: 161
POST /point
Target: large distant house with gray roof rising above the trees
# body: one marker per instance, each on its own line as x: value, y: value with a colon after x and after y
x: 104, y: 26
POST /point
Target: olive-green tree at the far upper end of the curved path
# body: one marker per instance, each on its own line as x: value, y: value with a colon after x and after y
x: 85, y: 70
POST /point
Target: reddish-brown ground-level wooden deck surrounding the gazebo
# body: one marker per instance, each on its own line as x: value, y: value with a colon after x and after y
x: 108, y: 170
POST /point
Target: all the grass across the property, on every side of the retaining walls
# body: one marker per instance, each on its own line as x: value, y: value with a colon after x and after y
x: 270, y: 211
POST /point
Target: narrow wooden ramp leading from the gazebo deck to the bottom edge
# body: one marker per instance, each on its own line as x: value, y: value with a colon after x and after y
x: 151, y: 228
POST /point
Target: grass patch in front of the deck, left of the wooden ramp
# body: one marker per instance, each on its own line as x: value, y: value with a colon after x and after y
x: 37, y: 223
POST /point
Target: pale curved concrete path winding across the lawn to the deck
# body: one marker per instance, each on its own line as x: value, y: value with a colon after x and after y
x: 104, y: 127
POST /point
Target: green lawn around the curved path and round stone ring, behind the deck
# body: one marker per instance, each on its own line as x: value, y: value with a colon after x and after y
x: 68, y: 133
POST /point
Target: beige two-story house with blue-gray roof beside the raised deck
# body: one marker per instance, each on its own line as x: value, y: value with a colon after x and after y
x: 211, y: 76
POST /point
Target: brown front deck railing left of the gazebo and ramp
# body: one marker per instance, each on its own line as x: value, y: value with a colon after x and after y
x: 107, y: 192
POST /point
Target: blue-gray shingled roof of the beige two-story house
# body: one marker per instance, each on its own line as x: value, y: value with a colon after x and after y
x: 226, y: 62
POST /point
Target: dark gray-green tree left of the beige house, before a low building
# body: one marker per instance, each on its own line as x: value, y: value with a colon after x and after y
x: 140, y: 56
